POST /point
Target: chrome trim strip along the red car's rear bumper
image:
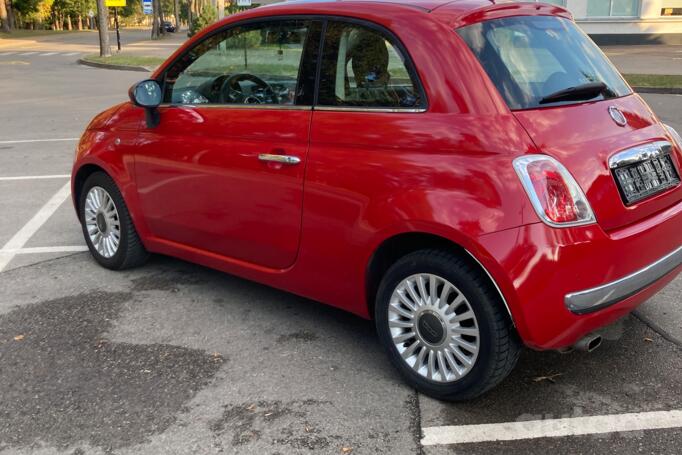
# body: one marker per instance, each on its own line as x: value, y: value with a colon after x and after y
x: 595, y: 299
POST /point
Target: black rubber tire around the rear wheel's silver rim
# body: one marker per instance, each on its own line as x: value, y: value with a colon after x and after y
x: 499, y: 344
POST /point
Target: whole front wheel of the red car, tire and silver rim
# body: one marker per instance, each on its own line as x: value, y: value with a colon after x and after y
x: 108, y: 230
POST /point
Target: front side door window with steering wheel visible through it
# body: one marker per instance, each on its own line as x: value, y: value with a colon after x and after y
x: 252, y: 64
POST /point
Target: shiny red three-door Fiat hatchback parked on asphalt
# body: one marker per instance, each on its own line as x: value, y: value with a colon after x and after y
x: 474, y: 176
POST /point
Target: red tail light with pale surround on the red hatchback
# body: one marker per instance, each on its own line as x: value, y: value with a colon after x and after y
x: 554, y: 193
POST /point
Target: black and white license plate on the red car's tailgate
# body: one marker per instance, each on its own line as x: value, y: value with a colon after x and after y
x: 641, y: 179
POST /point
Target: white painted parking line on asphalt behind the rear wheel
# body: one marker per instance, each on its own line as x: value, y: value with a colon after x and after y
x: 552, y: 428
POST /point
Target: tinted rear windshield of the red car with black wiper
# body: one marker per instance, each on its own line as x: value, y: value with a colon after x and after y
x: 533, y: 60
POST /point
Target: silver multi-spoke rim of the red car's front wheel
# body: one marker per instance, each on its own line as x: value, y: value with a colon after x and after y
x: 102, y: 222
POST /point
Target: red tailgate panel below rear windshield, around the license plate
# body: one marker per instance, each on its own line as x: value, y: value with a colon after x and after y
x: 583, y: 137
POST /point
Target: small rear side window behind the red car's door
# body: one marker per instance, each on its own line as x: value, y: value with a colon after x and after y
x: 362, y: 67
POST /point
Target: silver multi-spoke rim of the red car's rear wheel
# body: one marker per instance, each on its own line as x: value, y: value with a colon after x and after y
x: 433, y: 327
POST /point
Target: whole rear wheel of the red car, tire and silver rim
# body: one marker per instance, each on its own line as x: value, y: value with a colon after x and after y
x: 443, y: 326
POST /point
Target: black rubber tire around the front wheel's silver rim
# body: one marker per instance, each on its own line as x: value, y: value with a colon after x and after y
x: 130, y: 253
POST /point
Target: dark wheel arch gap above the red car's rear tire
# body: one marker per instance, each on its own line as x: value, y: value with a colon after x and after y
x: 399, y: 245
